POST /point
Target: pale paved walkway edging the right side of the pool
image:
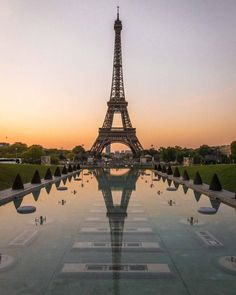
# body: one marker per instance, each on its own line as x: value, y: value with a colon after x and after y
x: 224, y: 196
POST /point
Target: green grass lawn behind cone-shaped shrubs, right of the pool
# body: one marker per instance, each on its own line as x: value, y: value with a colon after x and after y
x: 225, y: 172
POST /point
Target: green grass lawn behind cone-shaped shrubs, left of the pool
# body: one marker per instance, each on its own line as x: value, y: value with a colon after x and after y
x: 8, y: 173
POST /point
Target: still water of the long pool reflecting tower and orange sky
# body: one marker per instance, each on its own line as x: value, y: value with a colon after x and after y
x: 117, y: 232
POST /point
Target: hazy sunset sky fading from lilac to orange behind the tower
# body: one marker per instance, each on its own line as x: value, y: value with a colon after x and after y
x: 179, y: 63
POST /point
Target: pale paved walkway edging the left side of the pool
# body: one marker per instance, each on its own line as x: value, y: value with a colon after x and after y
x: 8, y: 195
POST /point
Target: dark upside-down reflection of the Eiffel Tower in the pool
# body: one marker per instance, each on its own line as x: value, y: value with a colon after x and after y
x: 116, y: 213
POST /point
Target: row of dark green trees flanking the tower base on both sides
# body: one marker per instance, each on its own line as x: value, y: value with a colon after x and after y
x: 201, y: 155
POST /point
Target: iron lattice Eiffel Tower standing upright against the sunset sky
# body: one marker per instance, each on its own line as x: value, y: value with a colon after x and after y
x: 117, y: 104
